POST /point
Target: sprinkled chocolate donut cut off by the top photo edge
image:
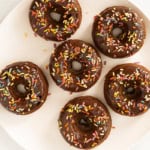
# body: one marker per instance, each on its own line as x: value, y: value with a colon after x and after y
x: 58, y: 28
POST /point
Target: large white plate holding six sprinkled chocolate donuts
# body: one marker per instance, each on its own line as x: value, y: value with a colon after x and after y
x: 39, y: 131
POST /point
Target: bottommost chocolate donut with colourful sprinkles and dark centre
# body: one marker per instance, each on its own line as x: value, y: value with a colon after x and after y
x: 85, y: 122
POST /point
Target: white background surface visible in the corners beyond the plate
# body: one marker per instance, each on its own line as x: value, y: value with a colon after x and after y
x: 6, y: 143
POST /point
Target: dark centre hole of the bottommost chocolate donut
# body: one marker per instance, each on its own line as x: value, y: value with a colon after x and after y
x: 84, y: 123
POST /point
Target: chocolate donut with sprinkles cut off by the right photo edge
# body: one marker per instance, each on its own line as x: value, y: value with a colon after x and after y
x: 127, y: 89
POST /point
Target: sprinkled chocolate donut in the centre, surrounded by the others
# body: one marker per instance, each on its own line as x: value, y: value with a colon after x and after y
x: 70, y: 78
